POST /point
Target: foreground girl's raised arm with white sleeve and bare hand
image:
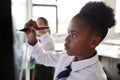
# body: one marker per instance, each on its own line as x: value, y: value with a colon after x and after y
x: 48, y: 58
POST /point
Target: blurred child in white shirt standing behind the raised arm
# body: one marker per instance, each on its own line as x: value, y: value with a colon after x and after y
x: 41, y: 72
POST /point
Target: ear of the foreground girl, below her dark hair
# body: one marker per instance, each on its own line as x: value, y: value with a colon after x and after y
x: 95, y: 40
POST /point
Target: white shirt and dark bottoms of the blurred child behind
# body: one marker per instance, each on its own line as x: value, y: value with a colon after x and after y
x: 45, y: 72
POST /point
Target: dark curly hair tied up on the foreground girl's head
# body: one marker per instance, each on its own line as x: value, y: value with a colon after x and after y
x: 97, y: 17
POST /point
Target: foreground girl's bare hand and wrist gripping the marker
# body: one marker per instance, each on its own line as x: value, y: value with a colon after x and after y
x: 31, y: 33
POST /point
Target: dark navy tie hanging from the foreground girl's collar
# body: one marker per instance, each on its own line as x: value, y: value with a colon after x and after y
x: 65, y: 73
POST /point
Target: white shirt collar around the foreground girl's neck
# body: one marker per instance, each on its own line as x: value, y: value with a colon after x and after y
x: 78, y: 65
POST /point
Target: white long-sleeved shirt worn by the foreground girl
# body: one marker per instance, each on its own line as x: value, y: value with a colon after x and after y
x: 88, y: 69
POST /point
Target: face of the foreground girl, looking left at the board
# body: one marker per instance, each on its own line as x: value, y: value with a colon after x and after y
x: 78, y: 41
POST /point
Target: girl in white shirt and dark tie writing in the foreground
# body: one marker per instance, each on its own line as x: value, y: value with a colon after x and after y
x: 86, y: 30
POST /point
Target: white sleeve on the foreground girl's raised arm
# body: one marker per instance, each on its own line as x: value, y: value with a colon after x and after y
x: 48, y: 58
